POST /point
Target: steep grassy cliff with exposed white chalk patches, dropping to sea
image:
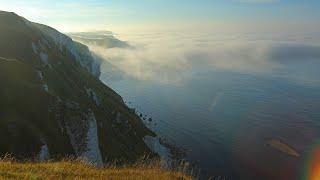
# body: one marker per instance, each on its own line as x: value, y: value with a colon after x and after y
x: 52, y: 102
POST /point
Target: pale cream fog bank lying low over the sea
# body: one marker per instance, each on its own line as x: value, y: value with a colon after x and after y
x: 173, y: 57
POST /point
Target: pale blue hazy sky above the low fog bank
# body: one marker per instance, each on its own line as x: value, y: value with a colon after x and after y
x: 78, y: 15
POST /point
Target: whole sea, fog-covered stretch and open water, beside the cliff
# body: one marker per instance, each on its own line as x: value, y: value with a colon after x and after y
x: 229, y: 99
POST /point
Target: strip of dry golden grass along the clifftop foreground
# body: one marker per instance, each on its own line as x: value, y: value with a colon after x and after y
x: 78, y: 170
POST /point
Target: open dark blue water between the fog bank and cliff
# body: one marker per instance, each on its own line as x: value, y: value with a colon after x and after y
x: 224, y: 119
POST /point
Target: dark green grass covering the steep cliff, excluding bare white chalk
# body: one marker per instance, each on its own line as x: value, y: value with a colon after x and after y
x: 28, y: 113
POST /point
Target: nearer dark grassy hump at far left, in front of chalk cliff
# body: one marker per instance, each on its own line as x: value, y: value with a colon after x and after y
x: 24, y: 111
